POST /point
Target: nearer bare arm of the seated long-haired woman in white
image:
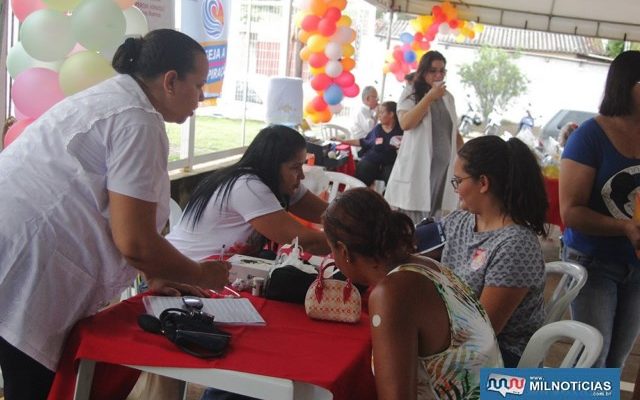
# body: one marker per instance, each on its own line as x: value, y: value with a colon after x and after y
x: 280, y: 227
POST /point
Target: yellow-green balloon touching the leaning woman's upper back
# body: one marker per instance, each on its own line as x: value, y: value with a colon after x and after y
x: 83, y: 70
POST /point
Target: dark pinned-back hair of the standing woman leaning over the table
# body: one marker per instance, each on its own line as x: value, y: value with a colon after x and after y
x: 157, y: 52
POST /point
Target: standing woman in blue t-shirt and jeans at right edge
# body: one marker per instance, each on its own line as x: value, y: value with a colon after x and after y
x: 599, y: 188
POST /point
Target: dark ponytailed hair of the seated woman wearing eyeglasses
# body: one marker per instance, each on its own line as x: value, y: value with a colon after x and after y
x: 515, y: 178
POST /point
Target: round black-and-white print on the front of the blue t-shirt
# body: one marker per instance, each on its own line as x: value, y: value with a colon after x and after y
x: 618, y: 193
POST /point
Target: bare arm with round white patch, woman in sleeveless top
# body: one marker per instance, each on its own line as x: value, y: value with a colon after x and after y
x: 395, y: 343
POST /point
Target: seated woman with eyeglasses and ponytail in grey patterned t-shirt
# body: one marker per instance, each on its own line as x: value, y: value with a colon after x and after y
x: 492, y: 241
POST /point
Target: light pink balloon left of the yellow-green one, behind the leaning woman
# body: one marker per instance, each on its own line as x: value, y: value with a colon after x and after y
x: 35, y: 90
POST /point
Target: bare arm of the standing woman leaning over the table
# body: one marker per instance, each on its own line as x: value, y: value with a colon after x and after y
x: 133, y: 228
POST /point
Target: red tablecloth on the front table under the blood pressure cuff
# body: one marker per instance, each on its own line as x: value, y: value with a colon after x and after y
x: 291, y: 346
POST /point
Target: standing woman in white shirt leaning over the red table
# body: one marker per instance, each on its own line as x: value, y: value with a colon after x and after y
x: 85, y: 194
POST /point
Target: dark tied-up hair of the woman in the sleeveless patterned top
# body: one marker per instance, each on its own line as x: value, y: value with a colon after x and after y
x: 362, y: 220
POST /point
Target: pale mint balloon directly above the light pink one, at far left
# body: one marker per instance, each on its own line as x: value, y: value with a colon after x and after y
x: 46, y: 35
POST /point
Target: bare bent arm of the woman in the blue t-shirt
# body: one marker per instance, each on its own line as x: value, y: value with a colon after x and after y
x: 576, y: 183
